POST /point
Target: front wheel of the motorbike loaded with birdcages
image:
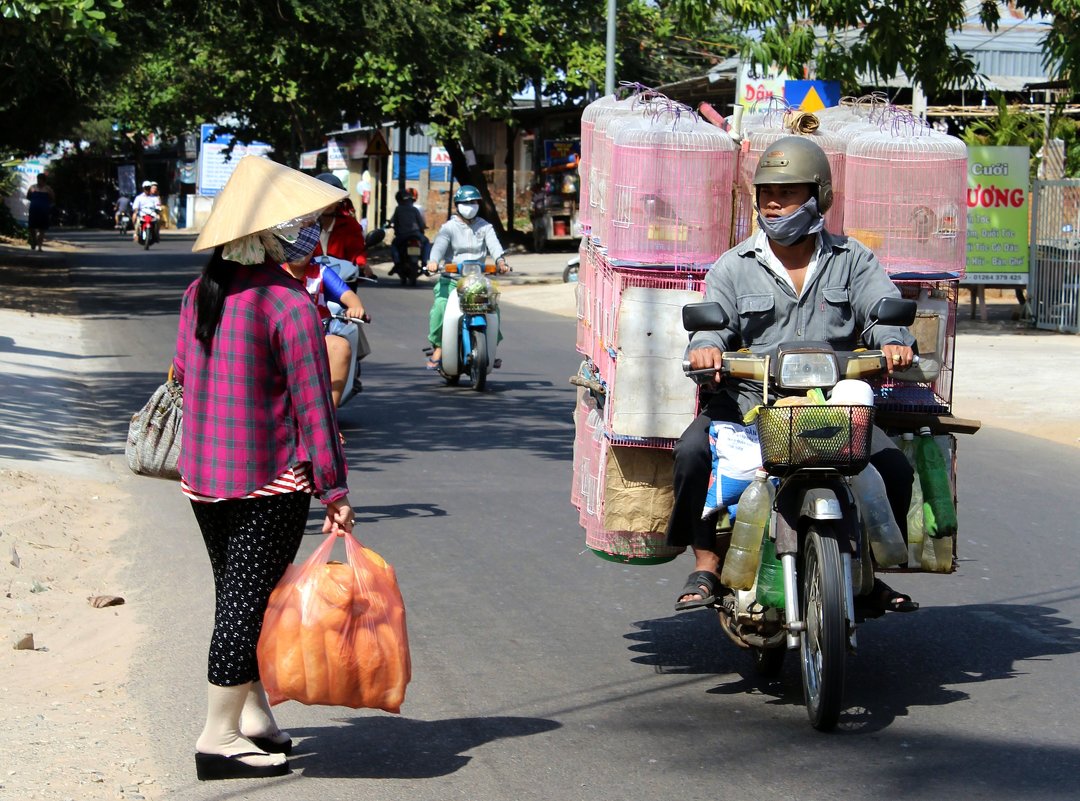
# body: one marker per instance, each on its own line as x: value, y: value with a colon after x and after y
x: 823, y: 646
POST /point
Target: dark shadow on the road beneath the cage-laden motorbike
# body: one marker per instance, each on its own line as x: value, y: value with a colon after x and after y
x: 903, y: 661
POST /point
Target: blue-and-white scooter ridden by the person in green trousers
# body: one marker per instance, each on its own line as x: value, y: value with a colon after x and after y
x: 470, y: 324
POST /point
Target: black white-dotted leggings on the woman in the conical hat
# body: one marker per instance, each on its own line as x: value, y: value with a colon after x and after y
x: 250, y: 541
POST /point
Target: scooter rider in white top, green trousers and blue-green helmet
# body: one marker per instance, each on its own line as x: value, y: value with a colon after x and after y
x: 464, y: 238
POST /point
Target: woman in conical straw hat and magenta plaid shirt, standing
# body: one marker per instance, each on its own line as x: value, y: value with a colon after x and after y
x: 261, y: 439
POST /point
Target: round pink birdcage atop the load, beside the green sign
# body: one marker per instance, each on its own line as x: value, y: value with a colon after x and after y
x: 907, y: 198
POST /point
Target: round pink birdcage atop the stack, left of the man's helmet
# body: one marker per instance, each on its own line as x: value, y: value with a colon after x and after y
x: 669, y: 191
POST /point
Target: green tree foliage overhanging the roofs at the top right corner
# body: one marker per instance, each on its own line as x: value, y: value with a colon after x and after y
x: 841, y: 39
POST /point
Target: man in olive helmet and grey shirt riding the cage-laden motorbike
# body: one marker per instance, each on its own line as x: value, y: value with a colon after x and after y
x: 790, y: 281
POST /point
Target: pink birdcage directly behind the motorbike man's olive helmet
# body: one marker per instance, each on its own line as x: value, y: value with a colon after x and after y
x: 754, y: 145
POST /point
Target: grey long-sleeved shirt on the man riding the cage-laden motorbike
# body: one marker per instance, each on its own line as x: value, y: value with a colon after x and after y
x: 765, y: 313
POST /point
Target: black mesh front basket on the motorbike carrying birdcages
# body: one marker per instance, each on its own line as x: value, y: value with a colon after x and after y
x: 816, y: 437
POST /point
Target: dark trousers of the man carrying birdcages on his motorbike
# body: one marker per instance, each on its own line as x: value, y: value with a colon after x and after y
x: 694, y: 465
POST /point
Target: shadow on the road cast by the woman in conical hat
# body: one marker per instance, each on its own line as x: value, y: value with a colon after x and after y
x: 385, y: 748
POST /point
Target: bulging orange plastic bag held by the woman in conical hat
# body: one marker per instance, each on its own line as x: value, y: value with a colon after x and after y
x: 334, y: 634
